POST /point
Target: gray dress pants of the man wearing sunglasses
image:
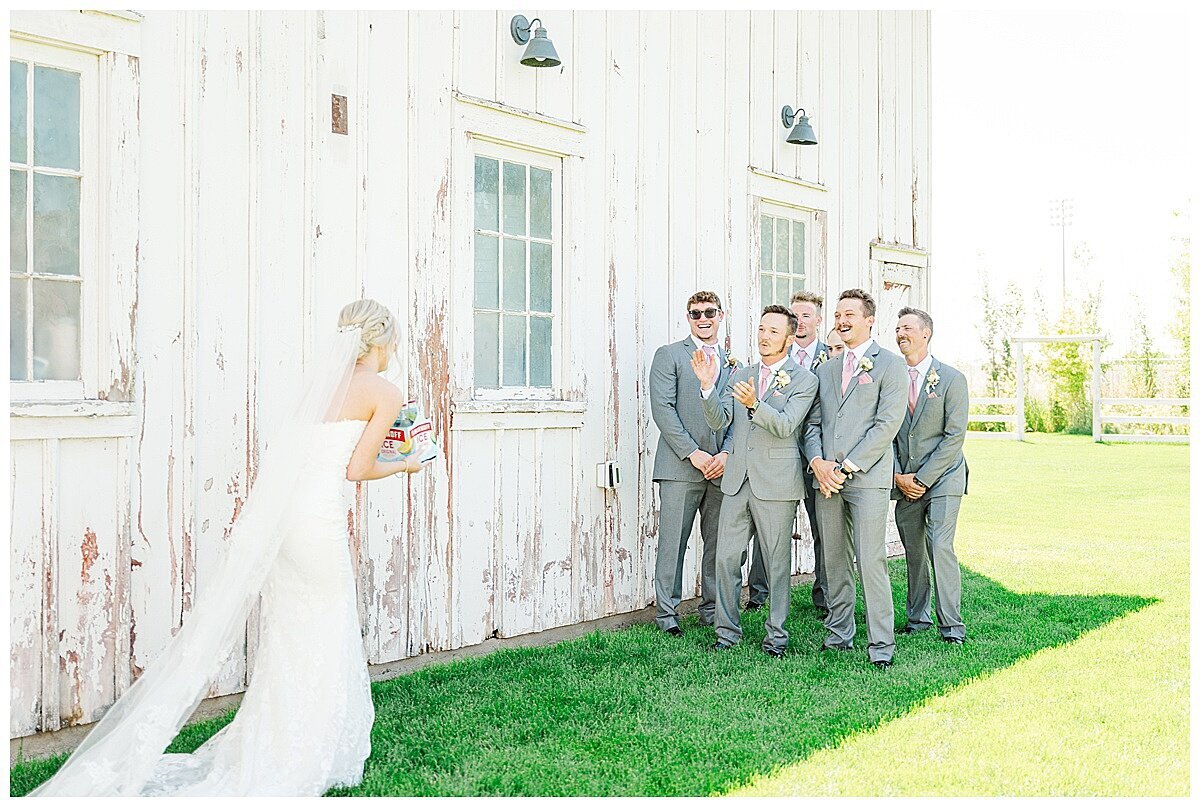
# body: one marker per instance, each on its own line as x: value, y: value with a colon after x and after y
x: 679, y: 505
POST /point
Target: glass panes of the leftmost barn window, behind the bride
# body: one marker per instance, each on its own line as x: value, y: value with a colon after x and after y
x: 46, y: 177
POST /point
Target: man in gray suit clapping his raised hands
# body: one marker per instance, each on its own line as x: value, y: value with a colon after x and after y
x: 764, y: 407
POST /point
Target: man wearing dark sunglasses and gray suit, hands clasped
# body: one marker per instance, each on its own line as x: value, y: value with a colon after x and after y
x: 689, y: 462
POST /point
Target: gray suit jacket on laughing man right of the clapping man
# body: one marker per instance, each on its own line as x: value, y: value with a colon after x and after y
x: 862, y: 426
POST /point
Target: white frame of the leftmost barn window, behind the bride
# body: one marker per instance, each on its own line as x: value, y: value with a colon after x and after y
x: 91, y: 277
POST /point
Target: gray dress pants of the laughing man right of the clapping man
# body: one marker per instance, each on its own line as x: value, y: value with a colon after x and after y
x: 857, y: 516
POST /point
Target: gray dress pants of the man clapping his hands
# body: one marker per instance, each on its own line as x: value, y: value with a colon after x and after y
x: 742, y: 515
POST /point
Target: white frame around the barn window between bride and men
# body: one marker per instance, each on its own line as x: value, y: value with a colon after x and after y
x: 535, y: 159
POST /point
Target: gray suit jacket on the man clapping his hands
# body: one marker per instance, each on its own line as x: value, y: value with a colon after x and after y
x: 765, y: 449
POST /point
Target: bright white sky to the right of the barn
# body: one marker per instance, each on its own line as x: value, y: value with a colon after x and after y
x: 1033, y: 106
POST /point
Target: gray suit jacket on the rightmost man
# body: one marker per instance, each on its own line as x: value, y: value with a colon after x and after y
x: 931, y: 440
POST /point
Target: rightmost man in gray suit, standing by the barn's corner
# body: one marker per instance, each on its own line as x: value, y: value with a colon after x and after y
x: 931, y: 479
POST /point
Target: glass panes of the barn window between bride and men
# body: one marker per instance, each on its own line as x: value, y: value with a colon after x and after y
x: 514, y: 271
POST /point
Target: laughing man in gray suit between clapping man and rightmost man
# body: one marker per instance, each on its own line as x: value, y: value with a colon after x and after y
x: 849, y: 439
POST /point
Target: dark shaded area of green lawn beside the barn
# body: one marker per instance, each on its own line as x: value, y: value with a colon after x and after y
x: 638, y: 713
